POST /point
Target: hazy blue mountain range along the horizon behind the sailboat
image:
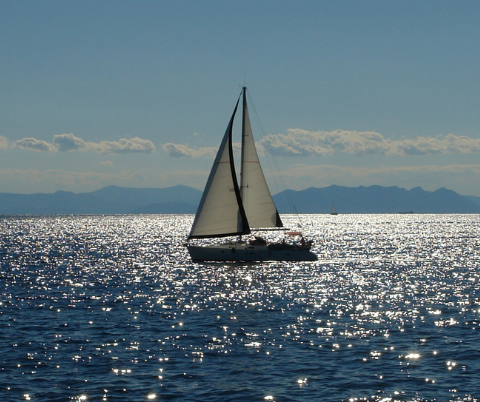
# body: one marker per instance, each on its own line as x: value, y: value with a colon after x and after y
x: 184, y: 200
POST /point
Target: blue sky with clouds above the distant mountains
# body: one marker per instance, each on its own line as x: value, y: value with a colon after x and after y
x: 139, y: 93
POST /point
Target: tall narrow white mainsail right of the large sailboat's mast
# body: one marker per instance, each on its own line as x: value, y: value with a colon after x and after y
x: 257, y: 200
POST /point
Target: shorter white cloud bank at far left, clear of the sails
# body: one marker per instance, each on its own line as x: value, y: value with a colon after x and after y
x: 68, y: 142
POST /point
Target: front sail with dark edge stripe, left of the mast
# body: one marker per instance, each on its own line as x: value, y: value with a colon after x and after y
x: 220, y: 212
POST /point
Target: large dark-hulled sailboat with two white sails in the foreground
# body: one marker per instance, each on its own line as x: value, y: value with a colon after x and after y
x: 230, y: 209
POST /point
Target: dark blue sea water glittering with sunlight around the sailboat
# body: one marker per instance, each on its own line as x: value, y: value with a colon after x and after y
x: 110, y: 308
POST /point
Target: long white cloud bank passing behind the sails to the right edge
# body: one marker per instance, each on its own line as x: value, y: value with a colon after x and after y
x: 298, y: 142
